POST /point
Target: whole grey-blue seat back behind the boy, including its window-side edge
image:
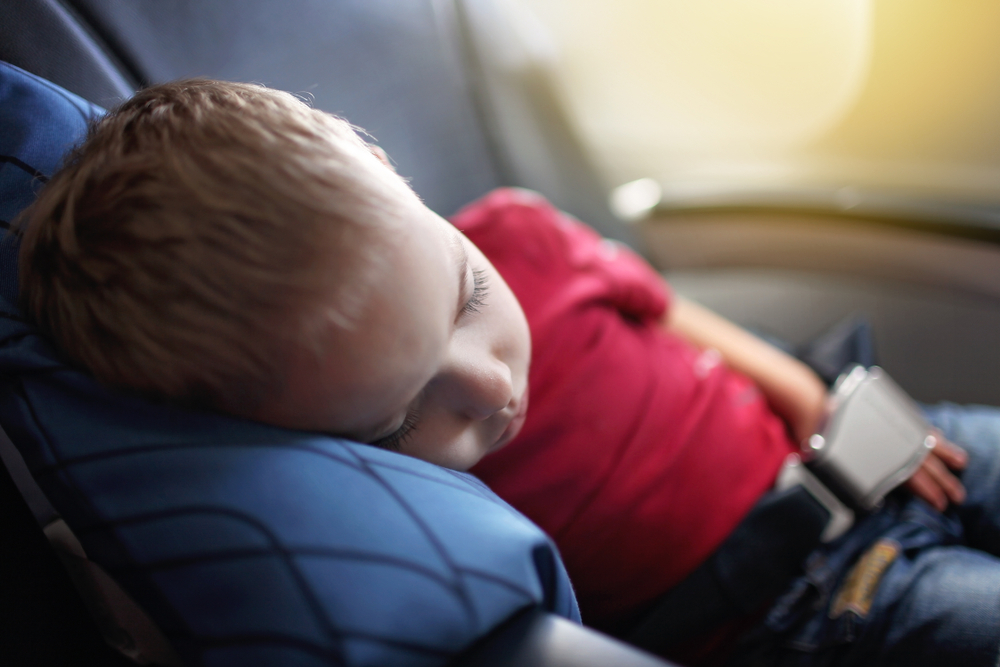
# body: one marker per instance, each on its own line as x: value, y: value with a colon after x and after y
x: 430, y: 80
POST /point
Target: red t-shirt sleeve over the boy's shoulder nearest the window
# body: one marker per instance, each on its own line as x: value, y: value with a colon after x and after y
x: 530, y: 240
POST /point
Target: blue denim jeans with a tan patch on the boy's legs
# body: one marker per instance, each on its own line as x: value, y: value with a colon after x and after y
x: 906, y: 585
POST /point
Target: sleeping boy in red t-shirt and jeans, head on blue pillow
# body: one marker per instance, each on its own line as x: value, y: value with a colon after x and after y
x: 226, y: 247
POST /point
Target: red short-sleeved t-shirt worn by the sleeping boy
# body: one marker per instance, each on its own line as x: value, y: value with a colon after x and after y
x: 640, y: 453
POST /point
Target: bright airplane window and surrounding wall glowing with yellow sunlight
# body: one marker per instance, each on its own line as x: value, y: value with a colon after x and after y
x: 838, y: 104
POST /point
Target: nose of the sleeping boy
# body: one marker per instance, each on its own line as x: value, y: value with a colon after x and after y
x: 480, y: 386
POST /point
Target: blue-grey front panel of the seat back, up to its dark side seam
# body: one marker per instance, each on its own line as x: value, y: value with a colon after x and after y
x: 393, y: 67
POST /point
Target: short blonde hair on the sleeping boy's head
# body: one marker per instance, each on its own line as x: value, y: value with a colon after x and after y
x: 200, y: 230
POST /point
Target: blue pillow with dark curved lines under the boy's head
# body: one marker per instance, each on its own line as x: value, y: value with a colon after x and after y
x: 251, y: 545
